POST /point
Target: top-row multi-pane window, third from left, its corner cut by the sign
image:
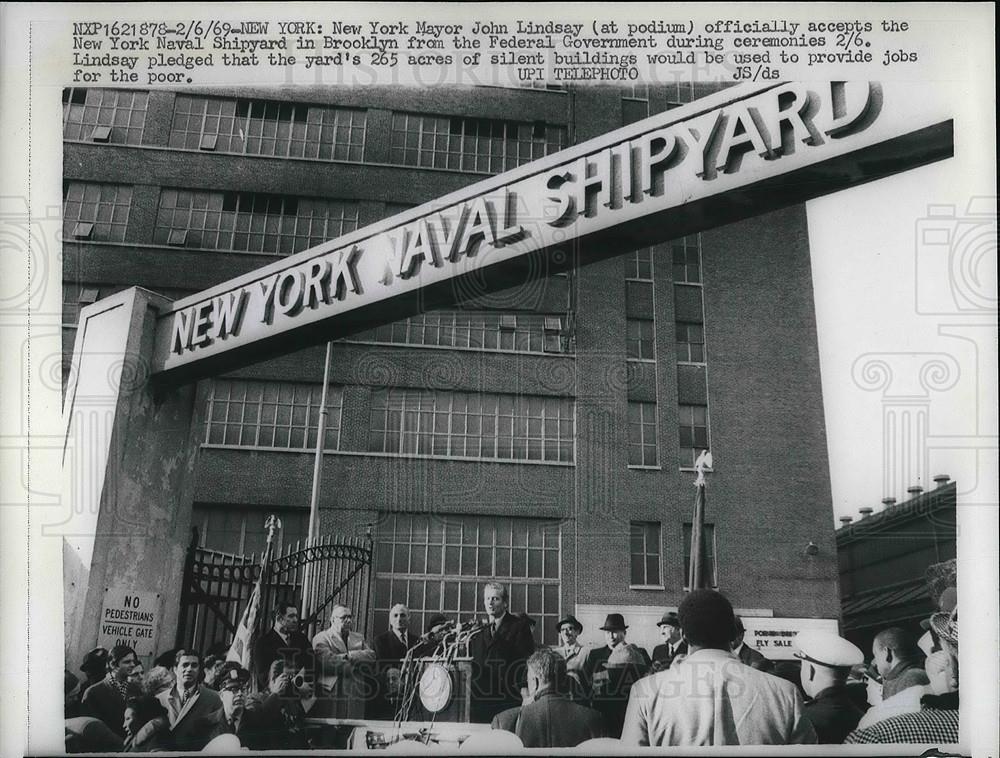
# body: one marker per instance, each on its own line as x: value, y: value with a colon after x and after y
x: 470, y: 144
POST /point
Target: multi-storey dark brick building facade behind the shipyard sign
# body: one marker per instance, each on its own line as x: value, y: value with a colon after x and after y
x: 545, y: 434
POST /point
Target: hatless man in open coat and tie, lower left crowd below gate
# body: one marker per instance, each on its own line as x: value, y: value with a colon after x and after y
x: 193, y: 709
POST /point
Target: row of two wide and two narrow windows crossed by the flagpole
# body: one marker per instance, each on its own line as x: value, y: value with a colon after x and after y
x: 436, y: 423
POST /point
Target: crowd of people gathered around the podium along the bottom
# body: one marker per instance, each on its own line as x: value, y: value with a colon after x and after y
x: 703, y: 685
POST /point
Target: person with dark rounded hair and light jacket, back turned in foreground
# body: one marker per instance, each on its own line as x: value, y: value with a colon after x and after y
x: 711, y: 697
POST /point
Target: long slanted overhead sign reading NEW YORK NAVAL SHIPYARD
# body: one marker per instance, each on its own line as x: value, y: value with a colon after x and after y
x: 732, y: 155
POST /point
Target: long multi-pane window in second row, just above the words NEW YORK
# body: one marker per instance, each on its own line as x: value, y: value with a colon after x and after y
x: 248, y: 221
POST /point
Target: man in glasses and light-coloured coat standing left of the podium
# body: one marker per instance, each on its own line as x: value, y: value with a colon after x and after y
x: 344, y: 668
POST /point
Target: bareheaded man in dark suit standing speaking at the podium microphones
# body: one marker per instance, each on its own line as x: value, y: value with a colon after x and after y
x: 499, y: 655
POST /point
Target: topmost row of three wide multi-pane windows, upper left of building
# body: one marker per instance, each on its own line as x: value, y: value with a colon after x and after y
x: 296, y: 130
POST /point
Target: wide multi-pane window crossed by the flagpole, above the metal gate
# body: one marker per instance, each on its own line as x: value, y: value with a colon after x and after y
x: 274, y: 415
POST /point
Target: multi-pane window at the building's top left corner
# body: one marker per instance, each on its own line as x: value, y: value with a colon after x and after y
x: 104, y: 115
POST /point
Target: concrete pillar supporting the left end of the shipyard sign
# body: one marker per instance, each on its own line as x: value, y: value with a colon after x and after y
x: 128, y: 467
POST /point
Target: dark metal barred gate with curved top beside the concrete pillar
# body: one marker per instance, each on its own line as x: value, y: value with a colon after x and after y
x: 218, y: 585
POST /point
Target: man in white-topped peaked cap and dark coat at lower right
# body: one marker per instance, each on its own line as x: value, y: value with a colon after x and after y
x: 826, y: 663
